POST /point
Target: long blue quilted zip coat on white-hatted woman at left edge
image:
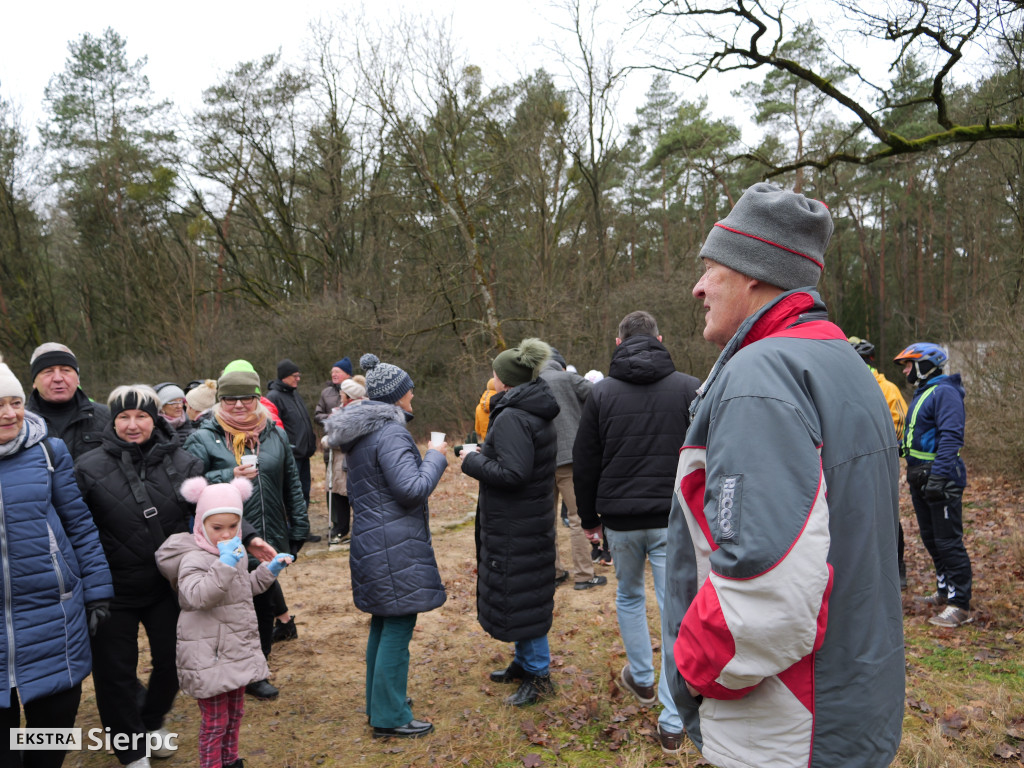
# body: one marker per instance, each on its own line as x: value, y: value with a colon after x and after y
x: 52, y: 565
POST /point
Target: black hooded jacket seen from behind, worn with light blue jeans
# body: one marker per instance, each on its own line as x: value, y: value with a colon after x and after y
x: 627, y: 448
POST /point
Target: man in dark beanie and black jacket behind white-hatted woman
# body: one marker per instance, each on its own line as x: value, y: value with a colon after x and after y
x: 57, y: 397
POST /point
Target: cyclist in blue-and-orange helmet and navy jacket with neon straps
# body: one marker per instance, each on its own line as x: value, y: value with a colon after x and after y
x: 932, y: 441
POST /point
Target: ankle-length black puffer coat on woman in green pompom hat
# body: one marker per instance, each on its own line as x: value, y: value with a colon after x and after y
x: 516, y: 587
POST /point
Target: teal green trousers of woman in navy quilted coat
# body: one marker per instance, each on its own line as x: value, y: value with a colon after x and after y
x: 388, y: 670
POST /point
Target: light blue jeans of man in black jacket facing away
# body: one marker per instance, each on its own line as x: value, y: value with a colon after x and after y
x: 630, y: 551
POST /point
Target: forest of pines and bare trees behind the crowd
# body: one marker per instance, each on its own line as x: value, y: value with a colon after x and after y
x: 381, y: 195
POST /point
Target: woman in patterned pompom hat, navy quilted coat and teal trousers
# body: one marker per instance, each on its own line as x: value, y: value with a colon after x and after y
x: 395, y: 574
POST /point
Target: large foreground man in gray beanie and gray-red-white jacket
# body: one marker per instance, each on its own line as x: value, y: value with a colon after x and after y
x: 783, y: 609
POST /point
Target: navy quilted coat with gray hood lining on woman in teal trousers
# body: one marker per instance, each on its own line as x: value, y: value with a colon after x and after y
x: 393, y: 562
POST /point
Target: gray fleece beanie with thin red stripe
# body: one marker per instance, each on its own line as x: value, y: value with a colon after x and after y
x: 773, y: 235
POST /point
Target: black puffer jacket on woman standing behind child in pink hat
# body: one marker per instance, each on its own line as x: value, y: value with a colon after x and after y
x: 127, y: 541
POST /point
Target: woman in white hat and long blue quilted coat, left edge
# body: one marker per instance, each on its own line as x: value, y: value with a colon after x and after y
x: 55, y: 584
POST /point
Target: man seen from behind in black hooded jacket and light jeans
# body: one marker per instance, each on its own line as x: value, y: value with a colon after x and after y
x: 624, y: 465
